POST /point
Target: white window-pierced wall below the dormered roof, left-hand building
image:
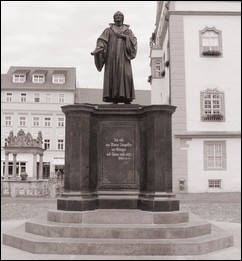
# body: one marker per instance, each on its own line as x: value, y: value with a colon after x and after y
x: 30, y: 109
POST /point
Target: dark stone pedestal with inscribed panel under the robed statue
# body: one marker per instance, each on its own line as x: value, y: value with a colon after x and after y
x: 118, y: 156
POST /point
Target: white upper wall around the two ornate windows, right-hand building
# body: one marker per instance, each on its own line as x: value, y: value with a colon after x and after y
x: 221, y: 73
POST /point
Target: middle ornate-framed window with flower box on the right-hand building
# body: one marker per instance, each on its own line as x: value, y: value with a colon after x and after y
x: 212, y: 105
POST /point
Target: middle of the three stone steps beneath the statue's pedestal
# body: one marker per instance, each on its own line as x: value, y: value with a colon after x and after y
x: 41, y: 227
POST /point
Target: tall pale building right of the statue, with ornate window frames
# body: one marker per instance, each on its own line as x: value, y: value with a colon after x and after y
x: 196, y: 66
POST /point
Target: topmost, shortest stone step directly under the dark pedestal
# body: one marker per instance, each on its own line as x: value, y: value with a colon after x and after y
x: 118, y: 216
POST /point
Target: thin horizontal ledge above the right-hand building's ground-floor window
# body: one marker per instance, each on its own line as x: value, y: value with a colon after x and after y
x: 209, y: 134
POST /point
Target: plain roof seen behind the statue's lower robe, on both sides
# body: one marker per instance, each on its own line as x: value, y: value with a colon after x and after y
x: 94, y: 96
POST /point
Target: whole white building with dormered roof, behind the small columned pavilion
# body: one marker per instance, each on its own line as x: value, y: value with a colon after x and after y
x: 31, y: 100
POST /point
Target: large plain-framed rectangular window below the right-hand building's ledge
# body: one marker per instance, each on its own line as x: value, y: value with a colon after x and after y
x: 214, y: 155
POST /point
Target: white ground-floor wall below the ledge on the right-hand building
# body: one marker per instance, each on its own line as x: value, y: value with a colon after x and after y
x: 198, y: 178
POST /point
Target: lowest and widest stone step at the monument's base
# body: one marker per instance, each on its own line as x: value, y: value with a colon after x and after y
x: 20, y: 239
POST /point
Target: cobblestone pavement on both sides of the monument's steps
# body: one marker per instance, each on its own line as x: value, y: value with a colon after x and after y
x: 224, y: 207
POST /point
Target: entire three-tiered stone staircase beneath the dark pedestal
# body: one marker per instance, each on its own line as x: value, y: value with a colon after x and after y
x: 118, y: 232
